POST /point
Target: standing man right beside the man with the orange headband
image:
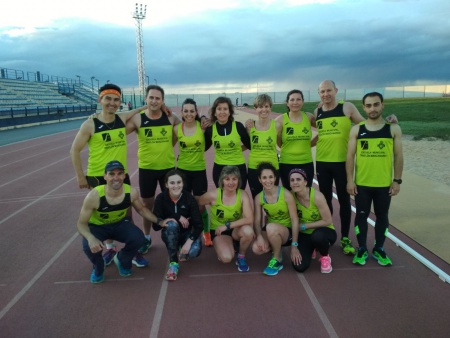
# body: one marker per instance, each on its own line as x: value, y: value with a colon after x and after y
x: 155, y: 150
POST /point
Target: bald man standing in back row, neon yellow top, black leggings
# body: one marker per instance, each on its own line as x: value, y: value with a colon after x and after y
x: 333, y: 122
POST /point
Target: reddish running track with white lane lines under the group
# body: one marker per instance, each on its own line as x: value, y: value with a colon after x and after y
x: 45, y: 289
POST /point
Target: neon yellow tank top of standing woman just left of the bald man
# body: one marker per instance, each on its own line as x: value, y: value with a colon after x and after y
x: 296, y: 141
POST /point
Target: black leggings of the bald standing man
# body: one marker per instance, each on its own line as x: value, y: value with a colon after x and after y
x: 327, y: 172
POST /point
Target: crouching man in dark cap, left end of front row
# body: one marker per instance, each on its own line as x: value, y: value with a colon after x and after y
x: 104, y: 216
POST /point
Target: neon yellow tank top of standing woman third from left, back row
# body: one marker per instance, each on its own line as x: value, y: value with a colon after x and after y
x: 192, y: 149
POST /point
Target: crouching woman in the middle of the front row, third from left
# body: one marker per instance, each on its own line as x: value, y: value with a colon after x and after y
x: 231, y: 218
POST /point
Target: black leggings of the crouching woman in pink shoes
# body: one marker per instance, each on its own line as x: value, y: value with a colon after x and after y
x: 321, y: 239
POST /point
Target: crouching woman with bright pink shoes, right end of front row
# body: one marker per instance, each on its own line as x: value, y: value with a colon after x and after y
x: 316, y: 230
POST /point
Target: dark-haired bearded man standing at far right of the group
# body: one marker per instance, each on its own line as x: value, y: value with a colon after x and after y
x: 377, y: 146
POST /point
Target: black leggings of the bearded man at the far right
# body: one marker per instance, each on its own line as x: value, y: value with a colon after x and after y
x: 381, y: 202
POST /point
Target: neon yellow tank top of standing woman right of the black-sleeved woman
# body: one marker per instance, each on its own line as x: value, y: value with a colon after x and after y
x: 264, y: 146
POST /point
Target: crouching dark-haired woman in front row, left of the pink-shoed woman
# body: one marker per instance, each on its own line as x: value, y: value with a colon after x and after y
x: 279, y: 206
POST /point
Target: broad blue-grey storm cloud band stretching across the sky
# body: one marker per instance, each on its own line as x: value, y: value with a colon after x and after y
x: 309, y: 43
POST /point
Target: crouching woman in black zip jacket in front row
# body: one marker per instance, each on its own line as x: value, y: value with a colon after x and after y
x: 183, y: 224
